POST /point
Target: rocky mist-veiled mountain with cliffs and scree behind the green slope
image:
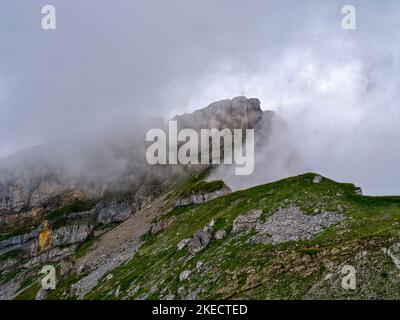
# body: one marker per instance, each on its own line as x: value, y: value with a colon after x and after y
x: 48, y: 214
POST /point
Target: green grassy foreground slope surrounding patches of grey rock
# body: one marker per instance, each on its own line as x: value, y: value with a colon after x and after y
x: 235, y: 268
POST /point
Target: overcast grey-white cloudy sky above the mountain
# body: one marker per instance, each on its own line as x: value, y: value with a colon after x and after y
x: 113, y: 62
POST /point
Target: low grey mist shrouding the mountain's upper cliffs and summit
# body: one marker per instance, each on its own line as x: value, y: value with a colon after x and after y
x: 114, y: 160
